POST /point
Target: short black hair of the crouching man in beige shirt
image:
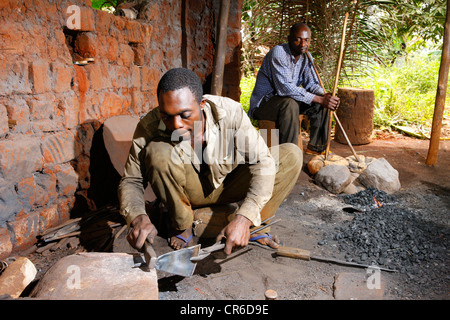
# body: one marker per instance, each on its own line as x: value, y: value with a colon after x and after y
x: 179, y: 78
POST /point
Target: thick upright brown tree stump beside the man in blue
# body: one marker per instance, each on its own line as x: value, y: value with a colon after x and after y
x: 356, y: 115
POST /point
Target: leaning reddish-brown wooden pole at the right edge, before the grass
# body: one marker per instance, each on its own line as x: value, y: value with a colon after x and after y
x: 440, y: 94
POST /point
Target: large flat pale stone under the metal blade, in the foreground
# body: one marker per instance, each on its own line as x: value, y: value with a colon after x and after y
x: 97, y: 276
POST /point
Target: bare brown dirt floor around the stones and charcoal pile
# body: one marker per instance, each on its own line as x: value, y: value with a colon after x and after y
x: 307, y: 215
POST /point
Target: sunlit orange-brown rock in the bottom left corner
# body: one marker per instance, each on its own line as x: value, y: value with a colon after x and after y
x: 17, y: 277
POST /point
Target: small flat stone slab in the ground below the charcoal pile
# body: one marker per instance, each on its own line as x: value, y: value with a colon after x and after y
x: 359, y: 286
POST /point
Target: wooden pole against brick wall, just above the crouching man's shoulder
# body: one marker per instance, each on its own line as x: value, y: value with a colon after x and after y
x: 219, y: 61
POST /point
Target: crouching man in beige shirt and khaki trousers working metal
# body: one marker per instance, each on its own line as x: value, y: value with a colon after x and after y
x: 195, y: 151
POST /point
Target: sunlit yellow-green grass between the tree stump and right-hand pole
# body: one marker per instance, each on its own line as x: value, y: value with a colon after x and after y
x: 405, y: 92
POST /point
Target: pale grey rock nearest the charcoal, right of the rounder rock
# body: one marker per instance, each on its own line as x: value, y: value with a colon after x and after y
x: 380, y: 175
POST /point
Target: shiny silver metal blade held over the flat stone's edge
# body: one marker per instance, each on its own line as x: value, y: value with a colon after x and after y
x: 178, y: 262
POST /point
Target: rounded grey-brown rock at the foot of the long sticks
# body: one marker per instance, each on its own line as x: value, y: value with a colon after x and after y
x: 334, y: 178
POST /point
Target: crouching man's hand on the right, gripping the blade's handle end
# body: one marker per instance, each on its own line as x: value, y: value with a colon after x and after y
x: 237, y: 233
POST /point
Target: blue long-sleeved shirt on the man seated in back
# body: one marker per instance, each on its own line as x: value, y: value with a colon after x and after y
x: 280, y: 75
